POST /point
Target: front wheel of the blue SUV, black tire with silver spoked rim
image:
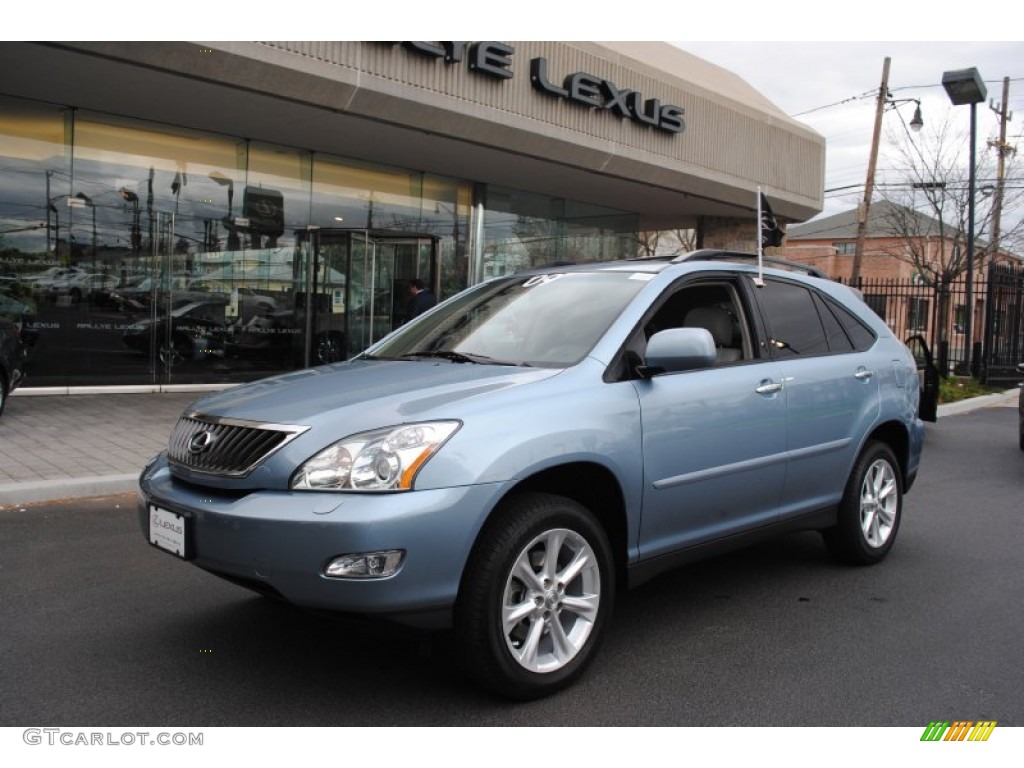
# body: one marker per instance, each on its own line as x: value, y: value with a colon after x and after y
x: 497, y: 654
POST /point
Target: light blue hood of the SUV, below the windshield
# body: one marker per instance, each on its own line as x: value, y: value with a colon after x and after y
x: 393, y: 391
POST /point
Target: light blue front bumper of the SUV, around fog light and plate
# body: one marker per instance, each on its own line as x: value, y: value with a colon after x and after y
x: 282, y: 541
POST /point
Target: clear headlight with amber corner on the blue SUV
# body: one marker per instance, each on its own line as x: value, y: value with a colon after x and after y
x: 382, y: 460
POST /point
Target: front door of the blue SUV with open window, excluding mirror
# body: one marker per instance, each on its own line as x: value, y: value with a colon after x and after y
x: 714, y: 440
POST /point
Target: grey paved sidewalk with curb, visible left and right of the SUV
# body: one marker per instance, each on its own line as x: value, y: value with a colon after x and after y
x: 78, y: 446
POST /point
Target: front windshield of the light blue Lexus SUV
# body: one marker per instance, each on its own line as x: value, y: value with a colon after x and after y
x: 550, y: 321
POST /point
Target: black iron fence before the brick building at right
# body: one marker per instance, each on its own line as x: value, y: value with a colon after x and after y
x: 914, y: 308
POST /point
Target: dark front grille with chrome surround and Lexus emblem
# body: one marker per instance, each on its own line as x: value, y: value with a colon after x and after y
x: 231, y: 448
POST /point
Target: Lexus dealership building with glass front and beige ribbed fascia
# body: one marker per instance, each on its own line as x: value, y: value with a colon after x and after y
x: 195, y: 214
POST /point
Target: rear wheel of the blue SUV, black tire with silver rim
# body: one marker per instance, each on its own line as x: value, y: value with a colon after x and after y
x: 871, y: 510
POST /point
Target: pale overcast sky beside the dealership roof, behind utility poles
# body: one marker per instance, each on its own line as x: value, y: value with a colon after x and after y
x: 833, y: 88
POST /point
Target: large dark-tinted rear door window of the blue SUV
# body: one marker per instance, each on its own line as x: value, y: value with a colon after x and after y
x: 794, y: 325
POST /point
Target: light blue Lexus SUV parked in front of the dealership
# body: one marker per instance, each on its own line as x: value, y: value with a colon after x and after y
x: 505, y: 463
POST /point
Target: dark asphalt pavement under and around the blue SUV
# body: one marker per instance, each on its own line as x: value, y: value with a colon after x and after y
x: 101, y: 628
